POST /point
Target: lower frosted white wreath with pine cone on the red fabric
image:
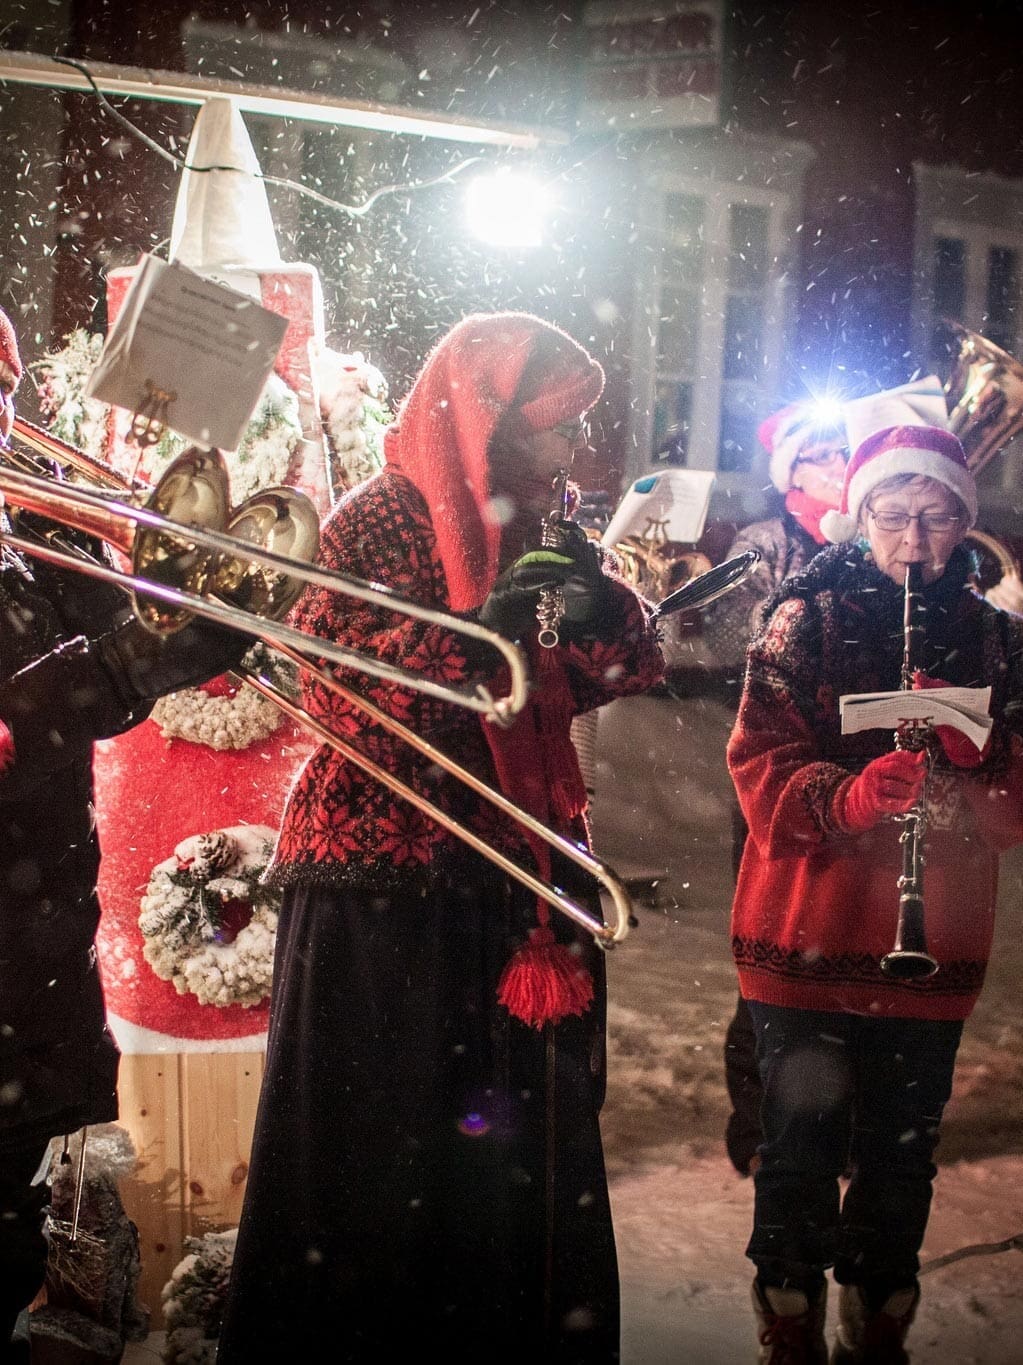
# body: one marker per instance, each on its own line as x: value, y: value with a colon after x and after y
x: 208, y: 923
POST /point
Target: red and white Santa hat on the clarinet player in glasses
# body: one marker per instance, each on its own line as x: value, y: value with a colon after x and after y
x: 923, y: 451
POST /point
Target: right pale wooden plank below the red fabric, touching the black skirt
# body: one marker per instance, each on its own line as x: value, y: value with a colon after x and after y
x: 219, y: 1097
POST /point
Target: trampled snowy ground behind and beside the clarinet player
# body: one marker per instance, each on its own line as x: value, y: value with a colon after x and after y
x: 682, y: 1213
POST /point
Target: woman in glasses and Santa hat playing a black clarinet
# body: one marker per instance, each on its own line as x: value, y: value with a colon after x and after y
x: 857, y: 1065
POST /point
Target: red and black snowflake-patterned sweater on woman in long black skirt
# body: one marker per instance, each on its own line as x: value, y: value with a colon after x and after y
x: 342, y: 827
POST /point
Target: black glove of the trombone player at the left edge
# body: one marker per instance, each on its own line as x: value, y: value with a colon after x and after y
x: 147, y: 667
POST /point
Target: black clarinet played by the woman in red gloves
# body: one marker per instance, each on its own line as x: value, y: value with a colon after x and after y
x: 910, y: 960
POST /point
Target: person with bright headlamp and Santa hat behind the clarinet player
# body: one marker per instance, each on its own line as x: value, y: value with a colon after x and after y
x: 807, y: 459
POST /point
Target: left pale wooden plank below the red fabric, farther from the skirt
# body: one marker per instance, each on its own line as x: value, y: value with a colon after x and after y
x: 151, y: 1110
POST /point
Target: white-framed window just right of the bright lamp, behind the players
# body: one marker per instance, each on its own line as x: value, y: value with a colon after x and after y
x: 715, y: 306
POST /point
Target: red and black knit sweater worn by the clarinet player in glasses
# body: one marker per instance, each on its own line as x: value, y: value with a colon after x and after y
x: 816, y: 908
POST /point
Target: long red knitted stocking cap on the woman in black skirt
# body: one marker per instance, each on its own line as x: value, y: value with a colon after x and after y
x: 492, y: 369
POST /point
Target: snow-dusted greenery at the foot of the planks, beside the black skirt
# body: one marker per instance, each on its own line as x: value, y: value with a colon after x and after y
x: 195, y: 1299
